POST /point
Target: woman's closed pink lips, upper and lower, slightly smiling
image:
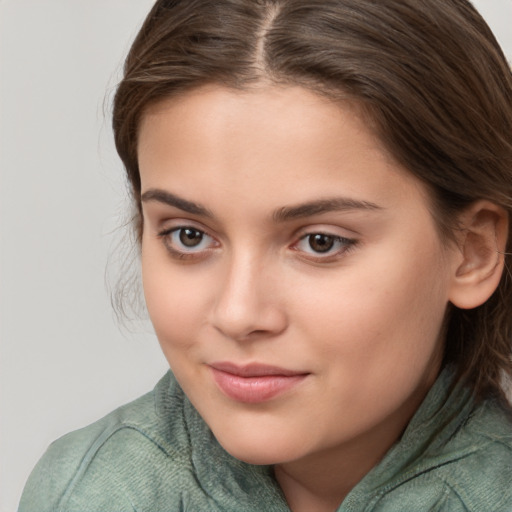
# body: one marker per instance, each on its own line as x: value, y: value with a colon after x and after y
x: 254, y: 383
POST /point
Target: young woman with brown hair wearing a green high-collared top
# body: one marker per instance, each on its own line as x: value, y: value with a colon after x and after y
x: 323, y: 191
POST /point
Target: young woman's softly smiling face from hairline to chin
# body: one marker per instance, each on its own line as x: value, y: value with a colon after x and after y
x: 292, y: 271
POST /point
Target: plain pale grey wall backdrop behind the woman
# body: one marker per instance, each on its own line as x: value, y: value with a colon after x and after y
x: 64, y: 362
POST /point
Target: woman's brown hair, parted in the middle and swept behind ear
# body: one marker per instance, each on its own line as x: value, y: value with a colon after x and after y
x: 429, y: 75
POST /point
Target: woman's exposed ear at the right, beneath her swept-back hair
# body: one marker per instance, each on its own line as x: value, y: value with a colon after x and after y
x: 479, y: 264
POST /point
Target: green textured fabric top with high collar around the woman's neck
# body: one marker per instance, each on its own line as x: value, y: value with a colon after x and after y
x: 157, y: 455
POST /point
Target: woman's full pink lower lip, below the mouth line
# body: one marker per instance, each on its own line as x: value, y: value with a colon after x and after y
x: 253, y: 390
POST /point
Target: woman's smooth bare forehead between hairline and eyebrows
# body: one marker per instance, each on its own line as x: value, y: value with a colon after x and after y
x: 279, y: 144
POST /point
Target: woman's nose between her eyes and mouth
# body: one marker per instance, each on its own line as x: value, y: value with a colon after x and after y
x: 247, y: 304
